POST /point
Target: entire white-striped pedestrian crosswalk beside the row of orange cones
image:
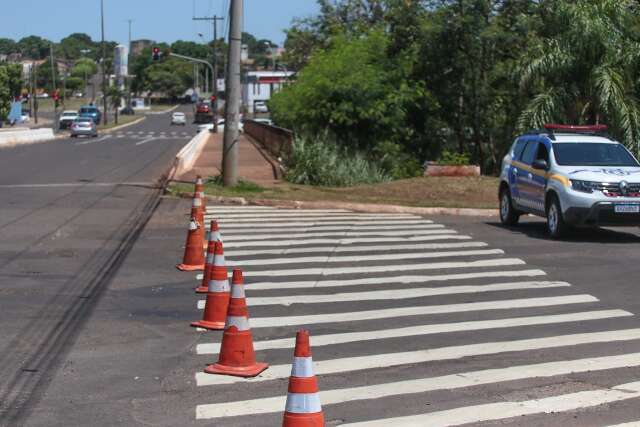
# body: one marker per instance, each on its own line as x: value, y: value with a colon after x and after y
x: 413, y: 324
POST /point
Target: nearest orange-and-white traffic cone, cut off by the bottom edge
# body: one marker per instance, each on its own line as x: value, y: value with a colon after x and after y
x: 303, y: 407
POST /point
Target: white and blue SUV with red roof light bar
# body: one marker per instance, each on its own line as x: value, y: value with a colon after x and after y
x: 573, y: 176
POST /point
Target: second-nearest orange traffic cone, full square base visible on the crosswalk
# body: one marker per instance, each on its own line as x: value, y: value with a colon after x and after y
x: 237, y: 356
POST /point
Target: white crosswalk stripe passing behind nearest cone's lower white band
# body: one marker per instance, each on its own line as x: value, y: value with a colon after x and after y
x: 422, y: 385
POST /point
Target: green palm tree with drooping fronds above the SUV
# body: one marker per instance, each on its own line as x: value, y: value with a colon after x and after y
x: 587, y: 71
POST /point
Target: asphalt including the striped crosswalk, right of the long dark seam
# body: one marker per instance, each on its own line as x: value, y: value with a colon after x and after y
x: 414, y: 321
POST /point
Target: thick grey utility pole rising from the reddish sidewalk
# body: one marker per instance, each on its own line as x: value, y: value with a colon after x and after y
x: 233, y: 89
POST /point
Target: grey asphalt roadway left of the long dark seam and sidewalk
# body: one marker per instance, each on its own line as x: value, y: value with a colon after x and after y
x: 70, y: 211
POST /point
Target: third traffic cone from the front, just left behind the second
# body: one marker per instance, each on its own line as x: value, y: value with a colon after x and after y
x: 215, y: 309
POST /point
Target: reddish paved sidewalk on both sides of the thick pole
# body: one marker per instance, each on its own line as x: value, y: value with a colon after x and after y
x: 252, y: 164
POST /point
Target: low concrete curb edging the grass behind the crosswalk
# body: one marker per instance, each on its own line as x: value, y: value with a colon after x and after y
x: 356, y: 207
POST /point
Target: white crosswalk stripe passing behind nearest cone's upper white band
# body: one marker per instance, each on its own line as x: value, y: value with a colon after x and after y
x: 359, y: 363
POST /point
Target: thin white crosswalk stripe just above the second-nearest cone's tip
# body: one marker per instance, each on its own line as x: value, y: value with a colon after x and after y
x: 358, y: 258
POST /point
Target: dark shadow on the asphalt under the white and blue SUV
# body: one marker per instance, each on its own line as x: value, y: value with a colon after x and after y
x: 537, y: 230
